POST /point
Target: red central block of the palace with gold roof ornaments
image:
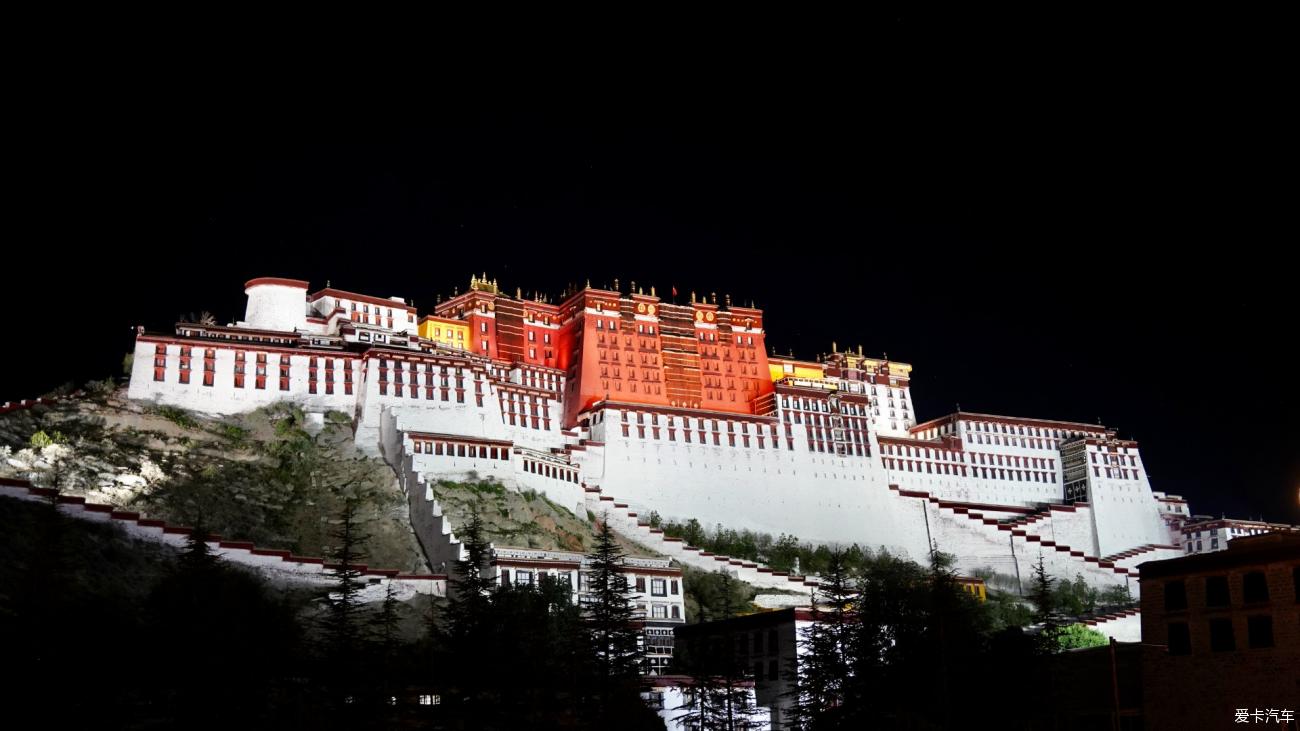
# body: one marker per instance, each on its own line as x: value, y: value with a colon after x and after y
x: 630, y: 349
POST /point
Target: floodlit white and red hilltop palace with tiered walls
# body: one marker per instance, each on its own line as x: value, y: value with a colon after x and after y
x: 621, y: 403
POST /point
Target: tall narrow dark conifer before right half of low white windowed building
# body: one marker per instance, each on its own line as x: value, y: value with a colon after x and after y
x: 613, y: 620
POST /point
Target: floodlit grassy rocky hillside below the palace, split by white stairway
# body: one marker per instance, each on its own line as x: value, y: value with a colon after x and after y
x: 274, y: 477
